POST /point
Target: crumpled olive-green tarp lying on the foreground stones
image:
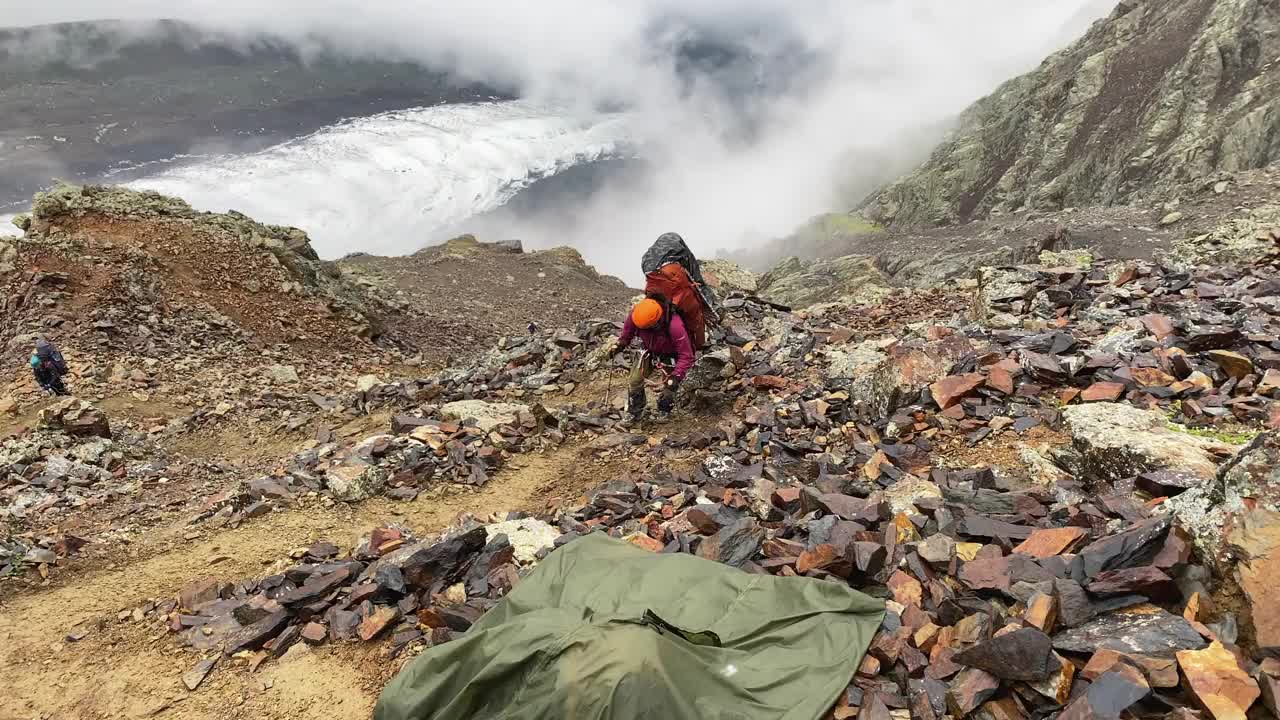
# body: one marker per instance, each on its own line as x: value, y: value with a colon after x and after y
x: 602, y: 630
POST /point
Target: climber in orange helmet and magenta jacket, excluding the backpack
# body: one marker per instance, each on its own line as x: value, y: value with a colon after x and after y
x: 668, y: 348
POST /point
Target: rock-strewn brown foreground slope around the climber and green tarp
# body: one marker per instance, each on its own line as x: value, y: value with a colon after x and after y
x: 1059, y: 477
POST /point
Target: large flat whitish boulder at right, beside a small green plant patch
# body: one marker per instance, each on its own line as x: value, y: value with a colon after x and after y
x: 1118, y: 441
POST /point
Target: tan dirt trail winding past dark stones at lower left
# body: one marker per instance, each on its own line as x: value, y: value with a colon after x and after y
x: 125, y: 669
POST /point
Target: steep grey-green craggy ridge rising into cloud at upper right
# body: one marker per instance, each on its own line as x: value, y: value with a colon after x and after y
x: 1163, y: 94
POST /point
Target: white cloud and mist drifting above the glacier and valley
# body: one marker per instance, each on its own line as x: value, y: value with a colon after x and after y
x: 845, y: 90
